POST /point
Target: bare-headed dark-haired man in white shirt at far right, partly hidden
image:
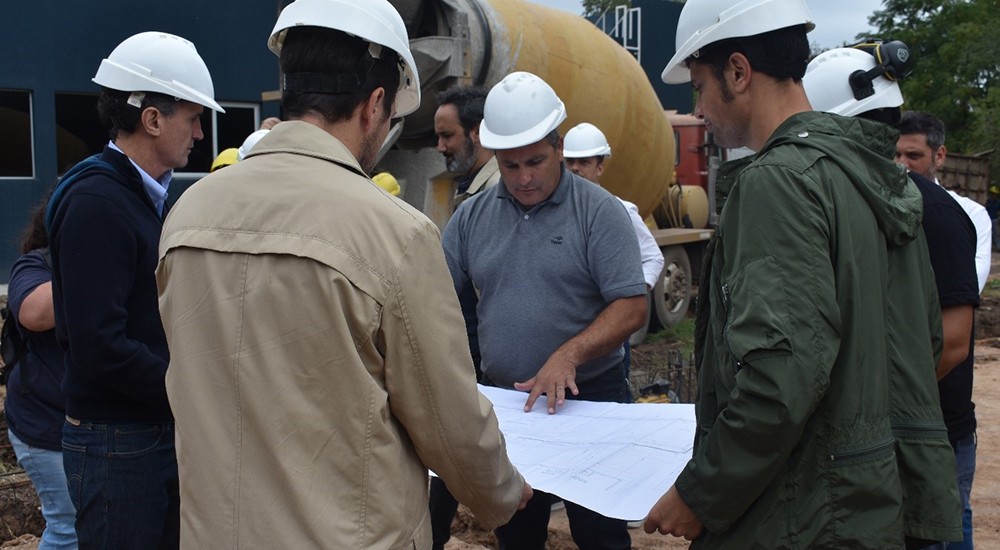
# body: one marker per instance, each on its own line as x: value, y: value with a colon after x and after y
x: 921, y: 149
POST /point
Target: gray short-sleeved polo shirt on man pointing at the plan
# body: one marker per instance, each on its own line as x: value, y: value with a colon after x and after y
x: 543, y: 275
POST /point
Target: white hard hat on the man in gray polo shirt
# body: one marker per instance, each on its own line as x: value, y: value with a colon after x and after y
x: 520, y: 110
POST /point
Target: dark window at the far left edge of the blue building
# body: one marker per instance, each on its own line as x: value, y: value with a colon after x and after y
x: 18, y: 158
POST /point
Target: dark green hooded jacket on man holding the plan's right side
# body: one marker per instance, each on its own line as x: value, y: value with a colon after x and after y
x: 817, y: 335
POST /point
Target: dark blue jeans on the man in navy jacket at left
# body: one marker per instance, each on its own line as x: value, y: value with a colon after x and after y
x: 123, y: 482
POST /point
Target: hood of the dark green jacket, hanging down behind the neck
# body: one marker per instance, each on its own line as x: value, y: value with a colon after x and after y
x: 895, y: 201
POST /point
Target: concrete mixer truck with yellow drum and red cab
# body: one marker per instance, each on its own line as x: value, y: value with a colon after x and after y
x: 478, y: 42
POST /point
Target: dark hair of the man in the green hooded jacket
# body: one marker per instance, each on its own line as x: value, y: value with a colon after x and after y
x: 782, y: 53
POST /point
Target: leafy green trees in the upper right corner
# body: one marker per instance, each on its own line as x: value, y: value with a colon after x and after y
x: 957, y: 67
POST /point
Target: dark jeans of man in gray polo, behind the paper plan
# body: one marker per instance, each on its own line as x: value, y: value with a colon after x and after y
x: 528, y: 529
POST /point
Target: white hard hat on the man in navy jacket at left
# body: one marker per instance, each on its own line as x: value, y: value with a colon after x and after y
x: 159, y: 62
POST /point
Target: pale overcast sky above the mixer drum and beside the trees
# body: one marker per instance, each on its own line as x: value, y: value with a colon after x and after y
x: 837, y: 21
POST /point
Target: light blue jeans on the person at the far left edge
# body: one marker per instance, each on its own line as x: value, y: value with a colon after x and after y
x: 44, y: 468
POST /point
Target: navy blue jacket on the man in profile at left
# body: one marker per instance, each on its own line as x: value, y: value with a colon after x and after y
x: 104, y: 235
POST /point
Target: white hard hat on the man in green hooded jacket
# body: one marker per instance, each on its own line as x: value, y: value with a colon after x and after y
x: 704, y: 22
